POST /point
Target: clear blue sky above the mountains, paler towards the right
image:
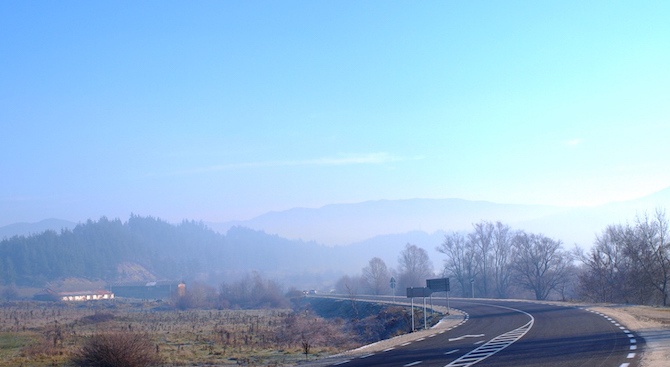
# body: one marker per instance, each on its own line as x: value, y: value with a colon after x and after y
x: 225, y: 110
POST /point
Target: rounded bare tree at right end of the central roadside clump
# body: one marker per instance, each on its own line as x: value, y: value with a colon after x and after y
x: 540, y: 264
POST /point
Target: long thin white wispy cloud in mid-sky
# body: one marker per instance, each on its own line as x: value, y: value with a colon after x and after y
x: 343, y: 160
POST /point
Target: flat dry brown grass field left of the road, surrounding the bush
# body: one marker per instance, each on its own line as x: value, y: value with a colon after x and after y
x: 49, y: 334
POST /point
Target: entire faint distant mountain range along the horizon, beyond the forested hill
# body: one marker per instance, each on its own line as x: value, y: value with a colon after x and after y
x: 367, y: 225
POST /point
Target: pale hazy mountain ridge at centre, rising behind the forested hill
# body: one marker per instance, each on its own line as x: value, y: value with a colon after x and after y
x: 343, y: 224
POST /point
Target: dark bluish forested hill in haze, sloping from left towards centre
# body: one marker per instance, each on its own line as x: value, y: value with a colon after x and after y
x: 97, y: 250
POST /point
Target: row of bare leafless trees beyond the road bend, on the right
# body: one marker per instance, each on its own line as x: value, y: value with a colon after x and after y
x: 628, y: 263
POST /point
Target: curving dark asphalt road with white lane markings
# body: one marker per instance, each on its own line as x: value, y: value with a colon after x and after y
x: 520, y: 334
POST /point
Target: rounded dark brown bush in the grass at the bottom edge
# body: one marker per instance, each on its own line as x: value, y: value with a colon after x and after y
x: 121, y: 349
